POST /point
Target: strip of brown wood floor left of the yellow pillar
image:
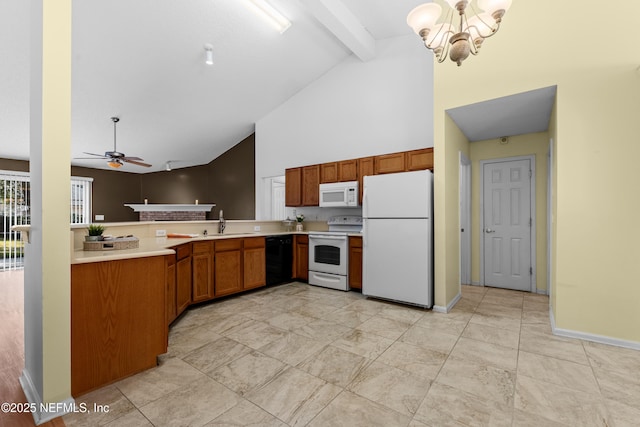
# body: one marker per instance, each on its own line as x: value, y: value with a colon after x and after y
x: 12, y: 350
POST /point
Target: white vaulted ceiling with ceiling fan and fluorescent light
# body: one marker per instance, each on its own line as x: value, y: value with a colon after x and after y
x: 144, y: 61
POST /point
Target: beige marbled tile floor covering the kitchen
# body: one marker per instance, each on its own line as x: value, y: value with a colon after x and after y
x: 298, y: 355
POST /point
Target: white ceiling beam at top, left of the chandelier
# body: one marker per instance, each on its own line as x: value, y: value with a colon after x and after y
x: 340, y: 21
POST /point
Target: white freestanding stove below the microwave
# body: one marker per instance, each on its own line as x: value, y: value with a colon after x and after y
x: 328, y: 253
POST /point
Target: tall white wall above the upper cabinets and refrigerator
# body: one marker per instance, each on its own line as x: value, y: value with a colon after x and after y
x: 356, y: 109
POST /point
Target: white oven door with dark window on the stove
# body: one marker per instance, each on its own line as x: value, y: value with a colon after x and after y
x: 328, y: 253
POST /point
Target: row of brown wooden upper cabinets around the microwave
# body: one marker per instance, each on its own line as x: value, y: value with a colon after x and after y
x: 303, y: 183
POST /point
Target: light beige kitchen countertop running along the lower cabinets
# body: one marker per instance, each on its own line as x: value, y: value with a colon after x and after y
x: 157, y: 246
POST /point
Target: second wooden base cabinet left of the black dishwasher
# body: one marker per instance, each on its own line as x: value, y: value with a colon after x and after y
x: 228, y: 267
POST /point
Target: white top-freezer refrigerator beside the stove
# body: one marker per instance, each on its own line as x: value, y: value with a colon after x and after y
x: 397, y: 212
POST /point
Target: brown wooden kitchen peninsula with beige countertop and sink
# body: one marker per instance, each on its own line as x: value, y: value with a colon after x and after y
x: 122, y: 301
